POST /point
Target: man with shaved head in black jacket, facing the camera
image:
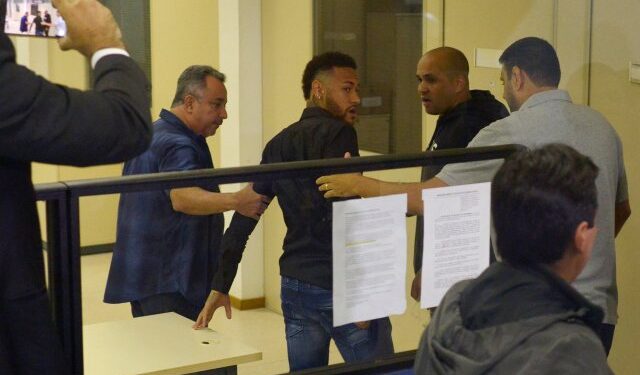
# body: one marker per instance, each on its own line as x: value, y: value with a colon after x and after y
x: 443, y: 85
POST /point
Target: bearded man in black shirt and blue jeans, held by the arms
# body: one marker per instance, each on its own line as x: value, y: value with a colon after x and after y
x: 325, y: 130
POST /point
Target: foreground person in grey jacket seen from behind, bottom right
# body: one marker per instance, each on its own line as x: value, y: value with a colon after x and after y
x: 521, y: 315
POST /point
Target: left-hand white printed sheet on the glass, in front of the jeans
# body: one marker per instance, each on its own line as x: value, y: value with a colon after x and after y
x: 369, y: 258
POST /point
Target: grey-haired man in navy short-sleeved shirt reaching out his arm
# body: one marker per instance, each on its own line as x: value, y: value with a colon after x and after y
x: 168, y: 242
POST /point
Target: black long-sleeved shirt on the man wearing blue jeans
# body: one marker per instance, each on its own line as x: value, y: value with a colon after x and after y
x: 307, y: 245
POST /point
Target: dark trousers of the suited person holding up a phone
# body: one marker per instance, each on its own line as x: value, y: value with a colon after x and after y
x: 29, y: 344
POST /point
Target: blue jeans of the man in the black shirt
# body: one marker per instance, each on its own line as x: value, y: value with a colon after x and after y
x: 308, y: 318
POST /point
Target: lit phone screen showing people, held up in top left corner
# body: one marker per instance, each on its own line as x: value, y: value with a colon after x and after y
x: 34, y: 18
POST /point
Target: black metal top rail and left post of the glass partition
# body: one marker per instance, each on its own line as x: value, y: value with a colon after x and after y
x: 63, y: 215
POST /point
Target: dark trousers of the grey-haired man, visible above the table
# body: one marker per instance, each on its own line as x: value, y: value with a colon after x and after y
x: 166, y: 302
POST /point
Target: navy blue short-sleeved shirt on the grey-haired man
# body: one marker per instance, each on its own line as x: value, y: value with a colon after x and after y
x: 159, y: 250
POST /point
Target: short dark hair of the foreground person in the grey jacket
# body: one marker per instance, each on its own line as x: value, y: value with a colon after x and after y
x: 538, y: 199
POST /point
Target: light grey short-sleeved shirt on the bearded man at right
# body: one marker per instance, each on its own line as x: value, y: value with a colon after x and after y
x: 551, y: 117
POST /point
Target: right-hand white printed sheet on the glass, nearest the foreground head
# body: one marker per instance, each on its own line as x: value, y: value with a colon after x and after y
x: 456, y: 237
